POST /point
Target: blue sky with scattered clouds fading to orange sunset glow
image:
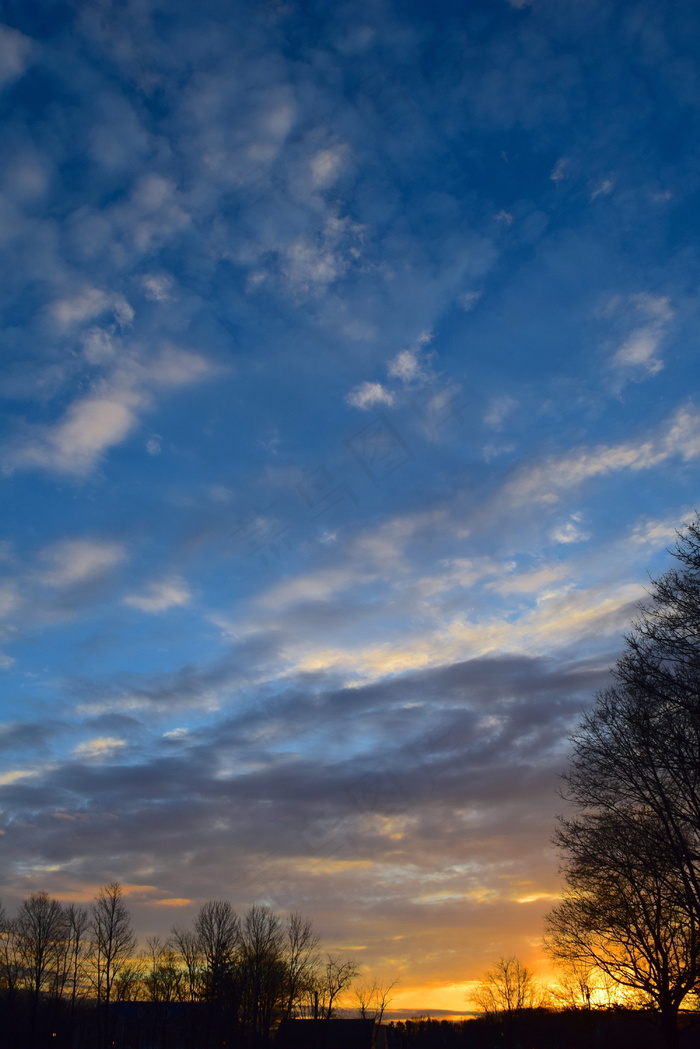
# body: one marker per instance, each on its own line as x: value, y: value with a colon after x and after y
x: 350, y: 398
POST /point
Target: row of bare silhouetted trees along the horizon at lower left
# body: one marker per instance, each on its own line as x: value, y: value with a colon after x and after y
x: 72, y: 977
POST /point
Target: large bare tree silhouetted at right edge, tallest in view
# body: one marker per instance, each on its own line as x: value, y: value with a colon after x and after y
x: 632, y: 848
